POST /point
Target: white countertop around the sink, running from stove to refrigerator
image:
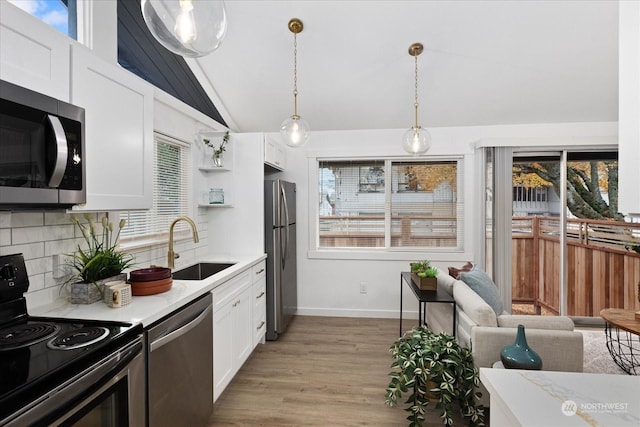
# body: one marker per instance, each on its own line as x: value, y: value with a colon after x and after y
x: 150, y: 308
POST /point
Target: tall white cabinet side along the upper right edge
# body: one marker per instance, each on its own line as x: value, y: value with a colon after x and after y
x: 629, y: 108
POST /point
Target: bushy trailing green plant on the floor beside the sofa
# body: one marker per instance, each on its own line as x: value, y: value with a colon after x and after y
x: 434, y: 368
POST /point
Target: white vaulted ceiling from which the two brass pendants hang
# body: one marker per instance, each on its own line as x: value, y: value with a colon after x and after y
x: 484, y: 63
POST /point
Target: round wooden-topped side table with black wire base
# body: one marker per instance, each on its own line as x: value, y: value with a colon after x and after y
x: 622, y: 331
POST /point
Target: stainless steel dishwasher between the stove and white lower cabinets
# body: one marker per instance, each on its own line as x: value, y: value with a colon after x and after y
x: 180, y: 366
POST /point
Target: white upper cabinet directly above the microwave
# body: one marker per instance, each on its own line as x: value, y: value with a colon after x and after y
x: 33, y: 54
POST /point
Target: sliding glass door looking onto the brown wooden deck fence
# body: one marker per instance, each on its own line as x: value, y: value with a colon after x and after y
x: 571, y: 252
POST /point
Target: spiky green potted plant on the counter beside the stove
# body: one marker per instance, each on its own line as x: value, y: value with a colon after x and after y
x: 98, y: 263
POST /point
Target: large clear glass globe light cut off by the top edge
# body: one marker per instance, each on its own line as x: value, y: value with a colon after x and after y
x: 190, y: 28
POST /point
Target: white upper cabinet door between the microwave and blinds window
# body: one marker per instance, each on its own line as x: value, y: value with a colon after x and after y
x: 119, y: 133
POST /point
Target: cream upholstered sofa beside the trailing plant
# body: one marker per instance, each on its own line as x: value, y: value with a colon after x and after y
x: 486, y: 333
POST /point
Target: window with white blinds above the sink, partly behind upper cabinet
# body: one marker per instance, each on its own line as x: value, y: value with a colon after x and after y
x: 171, y: 194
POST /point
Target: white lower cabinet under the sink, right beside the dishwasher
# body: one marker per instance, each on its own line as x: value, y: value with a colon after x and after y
x: 232, y: 329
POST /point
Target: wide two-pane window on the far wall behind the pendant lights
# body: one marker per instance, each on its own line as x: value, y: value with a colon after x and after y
x: 389, y: 204
